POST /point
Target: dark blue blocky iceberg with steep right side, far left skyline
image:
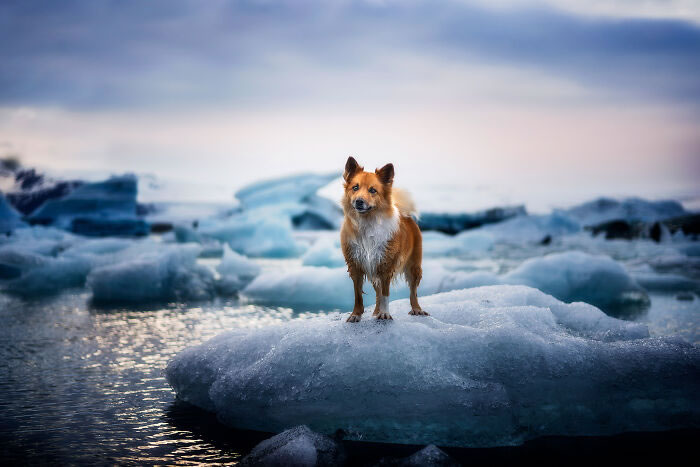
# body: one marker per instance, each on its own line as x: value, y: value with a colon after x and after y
x: 96, y: 209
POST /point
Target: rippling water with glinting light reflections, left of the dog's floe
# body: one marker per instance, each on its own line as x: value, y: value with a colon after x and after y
x: 86, y: 385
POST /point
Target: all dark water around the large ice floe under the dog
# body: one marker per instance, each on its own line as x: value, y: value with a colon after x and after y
x: 85, y: 385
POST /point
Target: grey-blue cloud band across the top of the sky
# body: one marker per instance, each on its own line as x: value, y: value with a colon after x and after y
x: 247, y: 54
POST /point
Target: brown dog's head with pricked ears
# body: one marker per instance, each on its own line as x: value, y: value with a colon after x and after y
x: 367, y: 192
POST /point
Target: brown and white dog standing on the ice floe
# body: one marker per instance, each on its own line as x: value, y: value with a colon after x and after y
x: 379, y: 237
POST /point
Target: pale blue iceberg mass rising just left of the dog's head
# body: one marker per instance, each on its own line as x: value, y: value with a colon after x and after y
x: 268, y: 214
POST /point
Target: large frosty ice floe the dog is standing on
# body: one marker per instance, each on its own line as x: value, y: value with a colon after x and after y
x: 491, y: 366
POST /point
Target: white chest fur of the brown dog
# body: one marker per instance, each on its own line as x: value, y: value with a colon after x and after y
x: 370, y: 243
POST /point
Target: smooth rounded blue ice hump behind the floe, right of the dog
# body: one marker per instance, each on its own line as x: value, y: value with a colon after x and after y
x: 576, y: 276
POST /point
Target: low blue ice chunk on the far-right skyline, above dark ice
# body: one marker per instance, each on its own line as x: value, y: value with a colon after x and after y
x: 630, y: 209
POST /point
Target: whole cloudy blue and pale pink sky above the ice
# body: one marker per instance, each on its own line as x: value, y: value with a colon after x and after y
x: 476, y: 103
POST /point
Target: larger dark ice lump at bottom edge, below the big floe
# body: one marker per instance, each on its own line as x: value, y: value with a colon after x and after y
x: 297, y: 446
